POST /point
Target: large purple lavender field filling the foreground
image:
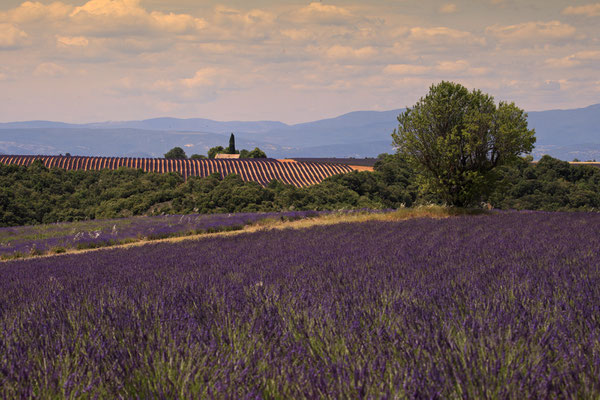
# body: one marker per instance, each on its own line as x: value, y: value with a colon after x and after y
x: 495, y: 306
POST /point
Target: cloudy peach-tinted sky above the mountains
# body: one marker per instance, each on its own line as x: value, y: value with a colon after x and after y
x: 292, y: 61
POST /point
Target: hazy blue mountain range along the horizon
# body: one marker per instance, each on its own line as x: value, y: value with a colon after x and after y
x: 565, y: 134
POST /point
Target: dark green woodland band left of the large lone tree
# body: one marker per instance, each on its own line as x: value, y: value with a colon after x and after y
x: 36, y: 194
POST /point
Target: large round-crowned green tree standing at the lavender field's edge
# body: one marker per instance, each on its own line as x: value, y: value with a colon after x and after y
x: 455, y: 139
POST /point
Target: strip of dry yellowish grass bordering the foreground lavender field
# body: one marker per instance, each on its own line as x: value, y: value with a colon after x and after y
x: 275, y: 224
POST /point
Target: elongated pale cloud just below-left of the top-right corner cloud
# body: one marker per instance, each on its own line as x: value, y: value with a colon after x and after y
x: 532, y: 32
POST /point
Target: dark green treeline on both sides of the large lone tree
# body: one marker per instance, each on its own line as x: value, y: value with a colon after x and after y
x: 36, y: 194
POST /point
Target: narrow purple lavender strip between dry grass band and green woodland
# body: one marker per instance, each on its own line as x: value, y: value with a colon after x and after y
x: 37, y: 239
